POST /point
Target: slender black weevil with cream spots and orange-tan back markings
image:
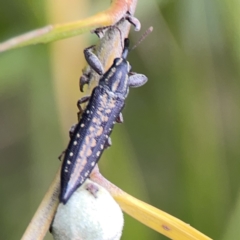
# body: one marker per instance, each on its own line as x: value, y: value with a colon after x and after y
x: 92, y: 134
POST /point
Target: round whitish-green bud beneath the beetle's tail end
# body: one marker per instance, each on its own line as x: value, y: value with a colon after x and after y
x: 90, y: 214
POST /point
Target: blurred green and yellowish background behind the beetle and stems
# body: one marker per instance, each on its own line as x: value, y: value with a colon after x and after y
x: 179, y: 146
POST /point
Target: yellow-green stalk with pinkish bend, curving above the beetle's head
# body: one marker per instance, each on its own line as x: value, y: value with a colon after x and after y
x: 56, y: 32
